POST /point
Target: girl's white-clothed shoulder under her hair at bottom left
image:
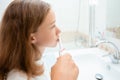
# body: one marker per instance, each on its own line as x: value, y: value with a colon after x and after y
x: 16, y: 75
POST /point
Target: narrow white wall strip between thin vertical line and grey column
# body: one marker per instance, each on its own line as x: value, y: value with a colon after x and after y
x: 84, y: 17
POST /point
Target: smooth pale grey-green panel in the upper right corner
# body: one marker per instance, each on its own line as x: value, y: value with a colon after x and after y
x: 113, y: 13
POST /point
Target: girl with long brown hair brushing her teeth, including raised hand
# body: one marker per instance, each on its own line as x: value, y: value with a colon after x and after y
x: 27, y: 27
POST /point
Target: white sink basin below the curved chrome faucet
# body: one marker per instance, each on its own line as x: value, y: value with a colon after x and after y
x: 91, y: 64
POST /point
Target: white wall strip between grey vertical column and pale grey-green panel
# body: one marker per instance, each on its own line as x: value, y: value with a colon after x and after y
x: 100, y: 17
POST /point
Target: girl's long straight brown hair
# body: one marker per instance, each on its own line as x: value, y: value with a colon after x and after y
x: 21, y: 18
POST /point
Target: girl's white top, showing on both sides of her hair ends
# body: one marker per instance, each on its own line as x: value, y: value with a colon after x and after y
x: 19, y: 75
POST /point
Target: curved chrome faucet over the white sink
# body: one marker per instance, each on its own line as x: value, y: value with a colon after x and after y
x: 116, y: 56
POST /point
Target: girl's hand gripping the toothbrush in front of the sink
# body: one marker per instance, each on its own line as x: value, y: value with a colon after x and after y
x: 64, y: 69
